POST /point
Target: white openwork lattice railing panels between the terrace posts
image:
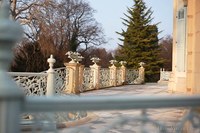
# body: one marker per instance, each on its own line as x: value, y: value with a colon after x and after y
x: 35, y: 84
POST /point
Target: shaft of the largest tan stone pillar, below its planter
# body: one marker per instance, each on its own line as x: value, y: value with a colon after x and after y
x: 73, y: 80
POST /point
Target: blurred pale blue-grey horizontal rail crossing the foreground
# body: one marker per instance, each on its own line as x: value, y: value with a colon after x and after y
x: 72, y: 103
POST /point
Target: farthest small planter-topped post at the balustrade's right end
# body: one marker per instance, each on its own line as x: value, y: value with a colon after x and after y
x: 141, y: 77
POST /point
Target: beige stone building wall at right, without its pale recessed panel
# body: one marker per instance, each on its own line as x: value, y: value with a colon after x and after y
x: 188, y: 81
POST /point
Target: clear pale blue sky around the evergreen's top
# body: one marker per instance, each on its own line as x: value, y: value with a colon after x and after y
x: 109, y: 13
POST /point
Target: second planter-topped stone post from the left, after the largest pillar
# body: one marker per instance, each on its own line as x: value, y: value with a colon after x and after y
x: 96, y: 72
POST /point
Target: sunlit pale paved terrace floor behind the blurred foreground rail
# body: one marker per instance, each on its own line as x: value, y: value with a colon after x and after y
x: 102, y: 119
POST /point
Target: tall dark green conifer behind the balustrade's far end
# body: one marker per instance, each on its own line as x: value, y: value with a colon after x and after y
x: 140, y: 41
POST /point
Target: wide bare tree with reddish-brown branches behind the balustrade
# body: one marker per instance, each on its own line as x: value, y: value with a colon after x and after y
x: 57, y: 26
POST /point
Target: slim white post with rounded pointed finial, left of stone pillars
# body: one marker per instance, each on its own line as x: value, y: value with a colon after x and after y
x: 51, y: 77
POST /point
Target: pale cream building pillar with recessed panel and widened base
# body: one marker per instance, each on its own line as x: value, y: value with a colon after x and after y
x: 177, y: 81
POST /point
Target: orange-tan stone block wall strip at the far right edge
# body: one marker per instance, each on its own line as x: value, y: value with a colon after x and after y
x: 193, y: 62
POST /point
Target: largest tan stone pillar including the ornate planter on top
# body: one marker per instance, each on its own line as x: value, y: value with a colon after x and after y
x: 73, y: 68
